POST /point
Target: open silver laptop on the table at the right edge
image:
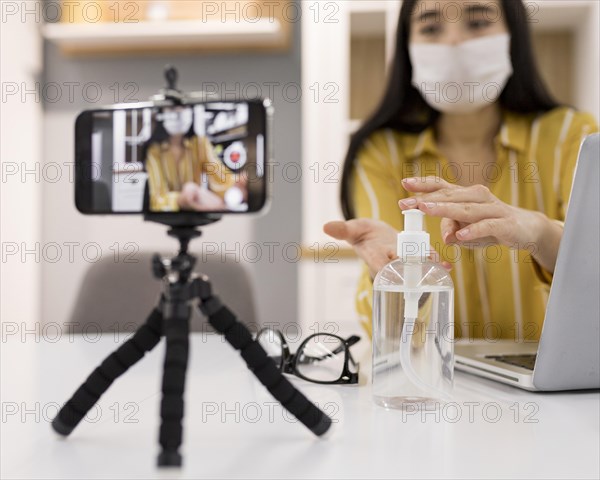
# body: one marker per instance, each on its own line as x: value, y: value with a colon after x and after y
x: 567, y: 356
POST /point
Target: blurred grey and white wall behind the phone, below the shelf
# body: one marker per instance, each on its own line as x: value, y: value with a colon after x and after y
x: 39, y: 213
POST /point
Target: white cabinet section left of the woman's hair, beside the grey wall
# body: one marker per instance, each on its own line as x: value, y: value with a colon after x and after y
x: 345, y: 47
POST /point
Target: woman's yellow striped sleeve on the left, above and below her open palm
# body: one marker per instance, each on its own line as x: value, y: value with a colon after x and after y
x: 376, y: 190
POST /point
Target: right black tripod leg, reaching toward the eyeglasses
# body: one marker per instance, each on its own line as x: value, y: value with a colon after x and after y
x: 240, y: 338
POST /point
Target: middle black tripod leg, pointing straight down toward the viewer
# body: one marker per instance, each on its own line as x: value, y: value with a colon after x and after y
x: 177, y: 328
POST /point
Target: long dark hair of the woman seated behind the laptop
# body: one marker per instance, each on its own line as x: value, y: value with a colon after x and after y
x: 404, y: 109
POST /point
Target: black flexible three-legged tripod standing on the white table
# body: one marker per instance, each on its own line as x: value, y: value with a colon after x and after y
x: 171, y: 319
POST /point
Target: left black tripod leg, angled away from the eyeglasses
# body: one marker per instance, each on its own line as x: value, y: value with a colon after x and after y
x: 117, y: 363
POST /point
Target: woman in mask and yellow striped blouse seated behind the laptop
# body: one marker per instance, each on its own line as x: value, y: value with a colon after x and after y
x: 467, y: 133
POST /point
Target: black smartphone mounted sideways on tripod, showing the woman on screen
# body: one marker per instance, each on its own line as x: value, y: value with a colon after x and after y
x: 204, y: 157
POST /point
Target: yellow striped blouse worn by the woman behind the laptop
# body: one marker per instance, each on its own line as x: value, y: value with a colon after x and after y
x: 499, y: 292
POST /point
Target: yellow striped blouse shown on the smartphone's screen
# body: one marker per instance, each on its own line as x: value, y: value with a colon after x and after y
x: 167, y: 177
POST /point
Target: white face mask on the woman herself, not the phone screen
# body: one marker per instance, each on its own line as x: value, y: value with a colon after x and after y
x: 462, y: 78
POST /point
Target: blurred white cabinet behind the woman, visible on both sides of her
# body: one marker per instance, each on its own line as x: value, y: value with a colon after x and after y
x: 346, y: 48
